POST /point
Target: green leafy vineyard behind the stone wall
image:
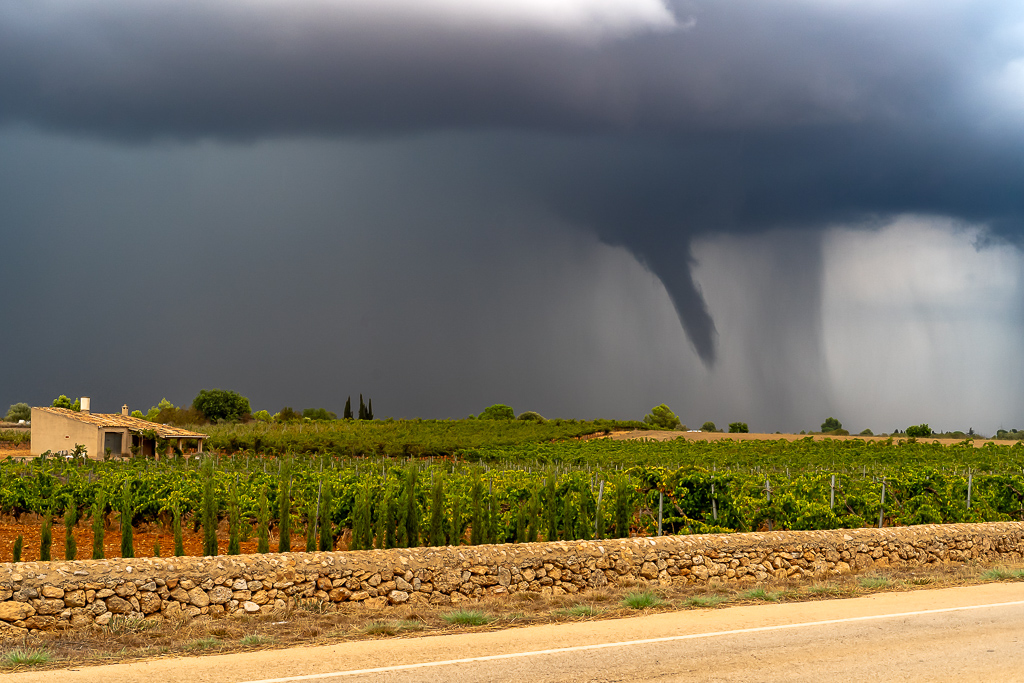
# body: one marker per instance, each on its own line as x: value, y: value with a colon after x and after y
x: 417, y: 483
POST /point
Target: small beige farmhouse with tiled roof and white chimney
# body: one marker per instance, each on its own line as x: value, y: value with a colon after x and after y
x: 60, y: 431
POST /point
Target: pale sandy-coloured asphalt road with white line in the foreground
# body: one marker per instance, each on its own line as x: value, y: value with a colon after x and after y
x: 968, y: 634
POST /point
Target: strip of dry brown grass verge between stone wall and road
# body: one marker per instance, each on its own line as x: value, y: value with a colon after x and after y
x: 129, y: 642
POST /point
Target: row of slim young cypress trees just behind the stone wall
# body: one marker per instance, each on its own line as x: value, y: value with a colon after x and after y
x: 383, y: 517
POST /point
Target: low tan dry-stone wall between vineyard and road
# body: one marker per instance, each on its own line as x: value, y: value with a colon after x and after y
x: 83, y: 594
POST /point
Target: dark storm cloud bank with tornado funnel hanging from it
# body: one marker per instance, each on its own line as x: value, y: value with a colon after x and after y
x: 648, y: 129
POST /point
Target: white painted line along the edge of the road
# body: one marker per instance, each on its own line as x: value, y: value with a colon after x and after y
x: 627, y: 644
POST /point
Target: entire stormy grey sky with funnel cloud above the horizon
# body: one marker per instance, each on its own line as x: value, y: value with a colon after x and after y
x: 767, y: 211
